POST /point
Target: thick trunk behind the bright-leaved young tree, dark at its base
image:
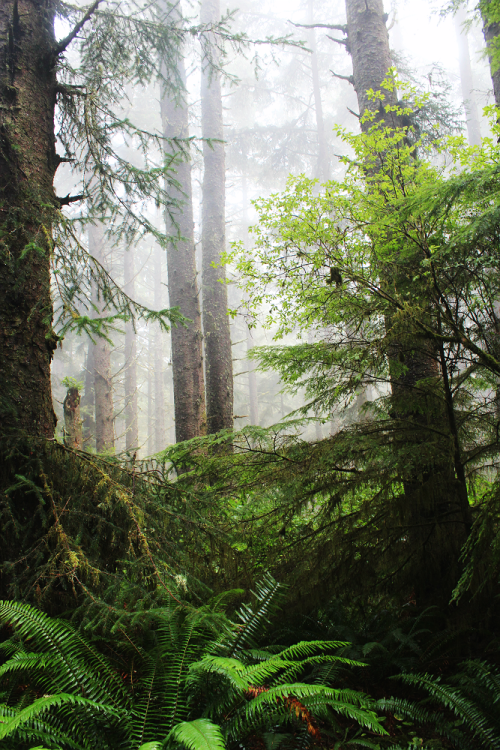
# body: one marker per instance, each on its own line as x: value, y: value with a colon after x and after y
x: 433, y: 511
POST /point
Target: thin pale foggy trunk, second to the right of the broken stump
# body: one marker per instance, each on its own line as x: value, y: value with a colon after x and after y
x: 131, y: 410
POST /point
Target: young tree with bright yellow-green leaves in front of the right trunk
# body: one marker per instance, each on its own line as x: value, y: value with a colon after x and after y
x: 331, y: 262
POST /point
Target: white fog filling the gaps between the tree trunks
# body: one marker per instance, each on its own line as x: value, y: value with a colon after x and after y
x: 272, y: 128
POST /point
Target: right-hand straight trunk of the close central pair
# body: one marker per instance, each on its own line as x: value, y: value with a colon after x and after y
x: 218, y: 354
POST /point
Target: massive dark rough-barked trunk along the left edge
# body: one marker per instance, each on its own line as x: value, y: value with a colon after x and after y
x: 28, y: 163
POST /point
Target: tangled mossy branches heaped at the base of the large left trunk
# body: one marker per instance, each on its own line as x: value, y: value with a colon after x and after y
x: 81, y: 531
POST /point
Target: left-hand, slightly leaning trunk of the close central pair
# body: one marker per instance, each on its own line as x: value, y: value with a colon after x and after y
x: 187, y: 358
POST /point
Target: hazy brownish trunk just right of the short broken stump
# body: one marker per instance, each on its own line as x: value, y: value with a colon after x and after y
x: 103, y: 384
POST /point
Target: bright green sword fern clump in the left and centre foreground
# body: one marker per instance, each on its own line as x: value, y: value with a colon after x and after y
x: 158, y: 690
